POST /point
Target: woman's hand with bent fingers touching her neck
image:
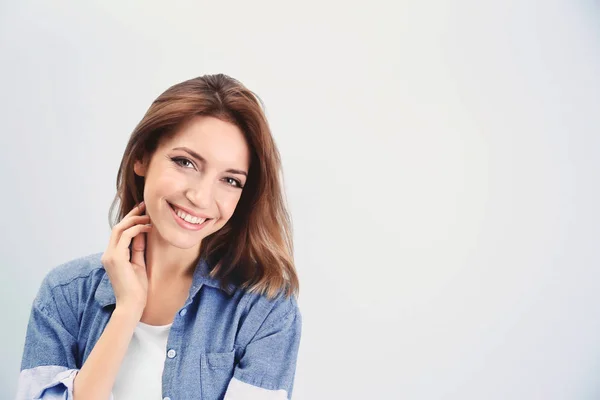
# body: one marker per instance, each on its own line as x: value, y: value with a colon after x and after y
x: 128, y: 275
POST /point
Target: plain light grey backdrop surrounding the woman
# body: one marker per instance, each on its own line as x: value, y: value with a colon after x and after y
x: 441, y: 165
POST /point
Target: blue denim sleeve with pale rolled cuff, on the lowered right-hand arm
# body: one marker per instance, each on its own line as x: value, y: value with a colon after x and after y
x: 267, y: 367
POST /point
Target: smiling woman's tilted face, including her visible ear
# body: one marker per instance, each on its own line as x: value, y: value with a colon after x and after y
x: 197, y: 173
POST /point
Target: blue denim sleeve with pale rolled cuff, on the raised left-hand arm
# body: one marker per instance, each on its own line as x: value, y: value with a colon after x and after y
x: 49, y: 365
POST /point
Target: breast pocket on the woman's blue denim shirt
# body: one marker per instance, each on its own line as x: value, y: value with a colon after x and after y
x: 216, y: 370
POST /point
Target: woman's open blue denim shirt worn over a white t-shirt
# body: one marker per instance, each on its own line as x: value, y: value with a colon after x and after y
x: 217, y: 337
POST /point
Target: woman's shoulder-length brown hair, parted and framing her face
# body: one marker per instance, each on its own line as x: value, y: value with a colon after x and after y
x: 254, y: 250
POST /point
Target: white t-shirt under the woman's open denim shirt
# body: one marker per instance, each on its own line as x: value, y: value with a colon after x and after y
x: 140, y: 374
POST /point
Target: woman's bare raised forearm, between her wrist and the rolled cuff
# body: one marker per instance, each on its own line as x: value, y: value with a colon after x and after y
x: 97, y: 375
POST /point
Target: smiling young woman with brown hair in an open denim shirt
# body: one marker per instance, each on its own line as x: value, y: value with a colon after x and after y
x: 195, y: 295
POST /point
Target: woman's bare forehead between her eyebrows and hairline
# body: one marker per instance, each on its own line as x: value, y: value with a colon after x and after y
x: 221, y: 143
